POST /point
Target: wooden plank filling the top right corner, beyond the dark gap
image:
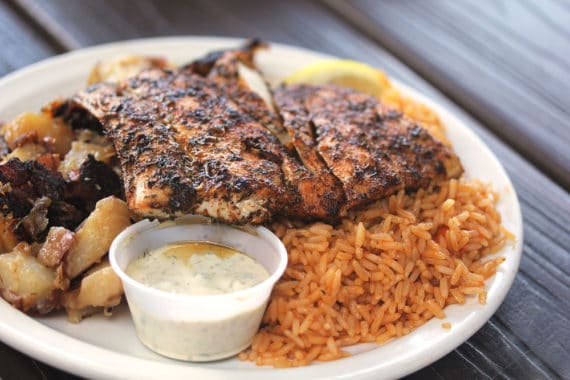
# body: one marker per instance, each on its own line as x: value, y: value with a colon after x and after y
x: 506, y: 62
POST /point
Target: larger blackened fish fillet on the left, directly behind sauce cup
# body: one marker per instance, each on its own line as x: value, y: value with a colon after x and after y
x: 186, y: 148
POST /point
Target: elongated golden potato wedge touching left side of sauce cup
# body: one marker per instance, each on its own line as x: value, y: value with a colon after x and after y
x: 93, y: 238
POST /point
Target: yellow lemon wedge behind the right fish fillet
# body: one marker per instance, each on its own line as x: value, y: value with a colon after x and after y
x: 345, y: 73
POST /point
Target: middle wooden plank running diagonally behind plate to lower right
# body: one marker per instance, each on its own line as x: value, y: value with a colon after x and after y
x: 528, y: 336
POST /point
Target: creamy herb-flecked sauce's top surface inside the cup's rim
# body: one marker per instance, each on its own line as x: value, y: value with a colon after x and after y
x: 197, y: 268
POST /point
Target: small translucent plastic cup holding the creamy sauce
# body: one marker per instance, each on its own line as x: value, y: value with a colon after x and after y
x: 197, y: 327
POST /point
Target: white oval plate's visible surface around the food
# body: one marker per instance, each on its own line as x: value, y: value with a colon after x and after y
x: 99, y: 347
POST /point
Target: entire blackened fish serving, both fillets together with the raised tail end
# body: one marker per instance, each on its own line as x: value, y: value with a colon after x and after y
x: 211, y: 138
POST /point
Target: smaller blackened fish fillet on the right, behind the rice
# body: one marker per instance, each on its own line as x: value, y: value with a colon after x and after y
x: 372, y: 150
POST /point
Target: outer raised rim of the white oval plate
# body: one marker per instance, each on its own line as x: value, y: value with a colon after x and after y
x: 86, y: 358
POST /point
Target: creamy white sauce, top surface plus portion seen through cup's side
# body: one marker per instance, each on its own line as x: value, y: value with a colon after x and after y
x: 197, y: 268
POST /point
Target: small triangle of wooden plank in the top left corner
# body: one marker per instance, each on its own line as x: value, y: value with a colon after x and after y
x: 20, y: 43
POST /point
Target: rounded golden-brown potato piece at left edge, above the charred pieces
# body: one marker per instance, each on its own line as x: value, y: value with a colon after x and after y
x: 42, y: 125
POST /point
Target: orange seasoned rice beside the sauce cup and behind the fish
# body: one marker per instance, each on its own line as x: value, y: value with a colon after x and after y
x: 382, y: 271
